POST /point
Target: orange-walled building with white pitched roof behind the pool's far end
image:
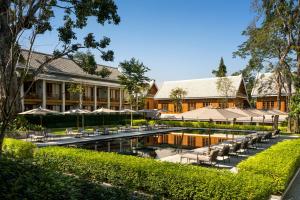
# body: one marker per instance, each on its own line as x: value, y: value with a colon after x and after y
x: 204, y: 92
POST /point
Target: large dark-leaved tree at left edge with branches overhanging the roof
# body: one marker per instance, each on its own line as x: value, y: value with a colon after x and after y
x: 33, y: 19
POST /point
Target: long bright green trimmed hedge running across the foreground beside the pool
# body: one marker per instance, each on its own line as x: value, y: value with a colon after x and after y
x: 164, y: 179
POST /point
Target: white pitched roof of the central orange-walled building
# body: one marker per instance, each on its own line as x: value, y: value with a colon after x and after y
x: 198, y: 88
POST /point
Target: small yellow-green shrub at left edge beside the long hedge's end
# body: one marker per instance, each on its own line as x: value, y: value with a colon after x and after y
x: 18, y: 149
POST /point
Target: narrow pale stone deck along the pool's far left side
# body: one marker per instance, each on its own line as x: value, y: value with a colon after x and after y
x: 69, y: 140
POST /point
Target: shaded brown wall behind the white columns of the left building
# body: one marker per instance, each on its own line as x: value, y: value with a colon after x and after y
x: 59, y: 100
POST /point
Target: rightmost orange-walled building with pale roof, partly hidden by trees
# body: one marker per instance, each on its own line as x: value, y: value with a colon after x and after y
x: 265, y: 92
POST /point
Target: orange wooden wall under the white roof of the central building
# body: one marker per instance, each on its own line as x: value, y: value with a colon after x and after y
x: 199, y: 103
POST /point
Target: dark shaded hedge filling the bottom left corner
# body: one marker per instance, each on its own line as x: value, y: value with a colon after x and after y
x: 26, y: 181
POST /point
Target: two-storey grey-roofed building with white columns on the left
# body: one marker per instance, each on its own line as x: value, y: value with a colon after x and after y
x: 51, y: 88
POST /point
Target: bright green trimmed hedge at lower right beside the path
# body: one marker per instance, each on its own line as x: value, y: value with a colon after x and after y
x: 279, y: 162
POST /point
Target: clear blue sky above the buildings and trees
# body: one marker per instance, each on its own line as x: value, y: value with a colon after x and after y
x: 176, y: 39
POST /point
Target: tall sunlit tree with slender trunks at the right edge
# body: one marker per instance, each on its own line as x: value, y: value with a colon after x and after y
x: 276, y: 35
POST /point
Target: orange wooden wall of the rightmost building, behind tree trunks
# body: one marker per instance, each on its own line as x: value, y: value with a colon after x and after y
x: 269, y: 103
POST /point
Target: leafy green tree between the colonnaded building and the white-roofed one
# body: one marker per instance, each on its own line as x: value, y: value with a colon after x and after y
x: 134, y: 79
